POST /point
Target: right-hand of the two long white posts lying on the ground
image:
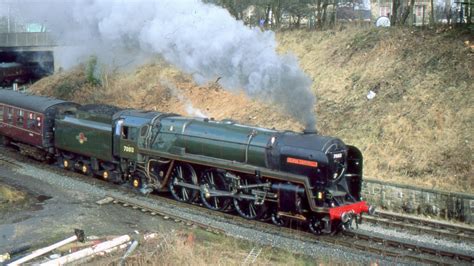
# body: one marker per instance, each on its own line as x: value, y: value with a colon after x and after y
x: 88, y: 251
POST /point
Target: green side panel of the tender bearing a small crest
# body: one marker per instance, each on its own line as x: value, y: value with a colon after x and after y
x: 85, y: 137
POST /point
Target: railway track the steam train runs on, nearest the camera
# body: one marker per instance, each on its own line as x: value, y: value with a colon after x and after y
x: 399, y: 250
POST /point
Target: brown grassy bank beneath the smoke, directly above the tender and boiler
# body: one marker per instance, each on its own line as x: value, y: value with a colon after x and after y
x: 159, y: 86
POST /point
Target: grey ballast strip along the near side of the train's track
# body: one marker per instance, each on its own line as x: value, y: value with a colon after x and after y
x: 315, y: 249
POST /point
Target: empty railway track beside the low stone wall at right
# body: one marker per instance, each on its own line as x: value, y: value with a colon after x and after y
x: 422, y: 226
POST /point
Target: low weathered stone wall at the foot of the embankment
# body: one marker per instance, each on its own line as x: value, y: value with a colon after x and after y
x: 415, y: 200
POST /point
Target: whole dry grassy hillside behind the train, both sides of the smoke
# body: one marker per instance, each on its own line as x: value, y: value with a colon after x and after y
x: 416, y: 130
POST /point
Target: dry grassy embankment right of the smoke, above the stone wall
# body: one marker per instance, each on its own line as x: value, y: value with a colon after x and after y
x: 418, y: 128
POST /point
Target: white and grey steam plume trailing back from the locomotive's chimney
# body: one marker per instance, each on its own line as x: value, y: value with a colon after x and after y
x: 201, y: 39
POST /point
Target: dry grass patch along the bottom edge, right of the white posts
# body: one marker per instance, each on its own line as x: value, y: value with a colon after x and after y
x: 197, y: 247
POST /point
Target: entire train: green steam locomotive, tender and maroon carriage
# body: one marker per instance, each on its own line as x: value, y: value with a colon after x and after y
x: 259, y: 173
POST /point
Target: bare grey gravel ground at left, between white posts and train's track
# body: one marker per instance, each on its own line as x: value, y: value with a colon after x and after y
x: 50, y: 214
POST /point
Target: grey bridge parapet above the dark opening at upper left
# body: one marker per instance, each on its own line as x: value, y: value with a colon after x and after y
x: 26, y: 39
